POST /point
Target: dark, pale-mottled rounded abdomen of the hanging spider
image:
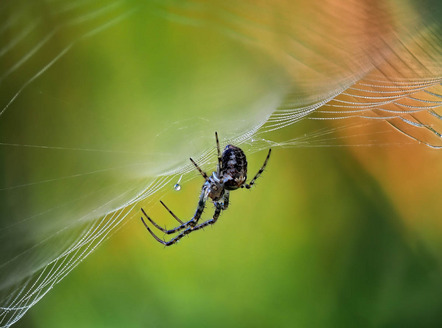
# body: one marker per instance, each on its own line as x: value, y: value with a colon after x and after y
x: 234, y: 167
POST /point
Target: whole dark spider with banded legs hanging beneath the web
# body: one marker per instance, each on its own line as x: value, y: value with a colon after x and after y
x: 231, y: 174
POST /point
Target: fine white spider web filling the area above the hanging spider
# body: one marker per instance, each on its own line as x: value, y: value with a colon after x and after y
x: 85, y: 84
